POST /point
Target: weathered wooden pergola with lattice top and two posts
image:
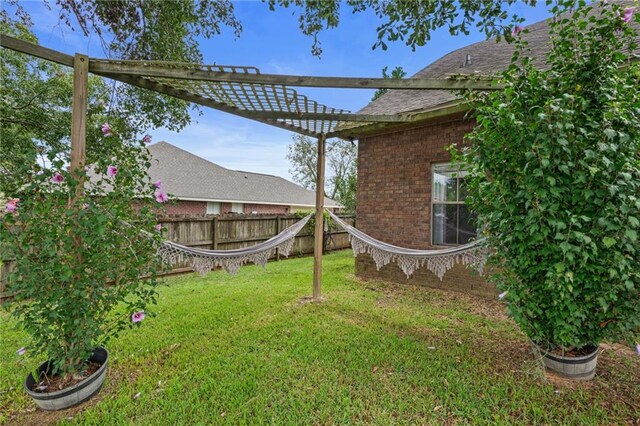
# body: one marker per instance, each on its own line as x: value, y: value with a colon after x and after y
x: 246, y: 92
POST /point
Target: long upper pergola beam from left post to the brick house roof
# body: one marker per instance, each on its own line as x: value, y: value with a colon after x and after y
x: 143, y: 70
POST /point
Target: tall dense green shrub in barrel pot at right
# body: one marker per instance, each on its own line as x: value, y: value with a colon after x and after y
x: 555, y: 182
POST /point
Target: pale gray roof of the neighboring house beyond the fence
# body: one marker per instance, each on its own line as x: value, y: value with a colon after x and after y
x: 189, y: 177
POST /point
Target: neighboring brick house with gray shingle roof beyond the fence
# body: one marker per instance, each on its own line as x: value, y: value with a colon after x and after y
x: 201, y: 187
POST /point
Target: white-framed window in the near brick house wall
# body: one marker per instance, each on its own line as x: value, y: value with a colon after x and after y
x: 451, y: 221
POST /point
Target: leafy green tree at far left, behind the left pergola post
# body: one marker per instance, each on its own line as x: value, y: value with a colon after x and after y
x: 35, y: 109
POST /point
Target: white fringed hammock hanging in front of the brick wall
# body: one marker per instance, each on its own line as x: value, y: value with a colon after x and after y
x: 437, y: 261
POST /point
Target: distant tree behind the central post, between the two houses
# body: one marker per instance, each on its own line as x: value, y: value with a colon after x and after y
x: 340, y: 162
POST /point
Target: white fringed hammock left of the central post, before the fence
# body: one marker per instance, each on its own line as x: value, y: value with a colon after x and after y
x: 203, y: 261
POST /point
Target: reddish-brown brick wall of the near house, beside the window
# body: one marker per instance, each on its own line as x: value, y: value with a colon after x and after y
x: 394, y: 197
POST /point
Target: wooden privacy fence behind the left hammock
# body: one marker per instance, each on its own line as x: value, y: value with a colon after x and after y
x: 231, y: 232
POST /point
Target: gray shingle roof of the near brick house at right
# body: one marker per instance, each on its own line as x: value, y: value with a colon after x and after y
x: 487, y: 57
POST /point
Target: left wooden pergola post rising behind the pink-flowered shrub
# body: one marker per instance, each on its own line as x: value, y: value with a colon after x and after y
x: 79, y: 118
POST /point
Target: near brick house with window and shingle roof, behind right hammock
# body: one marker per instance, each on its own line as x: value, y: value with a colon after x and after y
x: 407, y: 194
